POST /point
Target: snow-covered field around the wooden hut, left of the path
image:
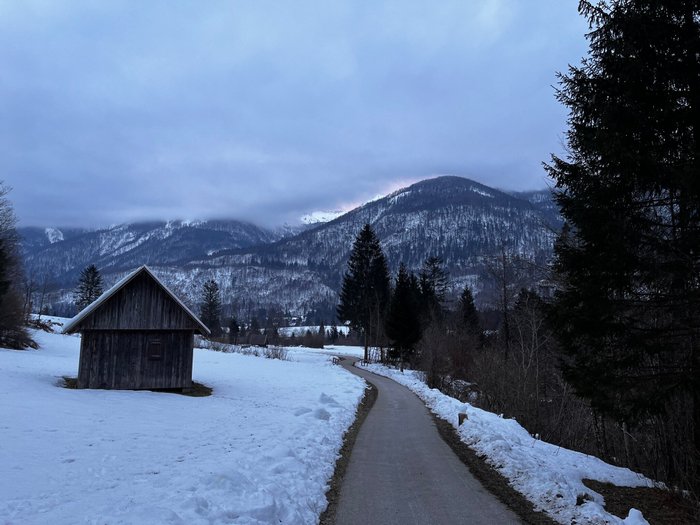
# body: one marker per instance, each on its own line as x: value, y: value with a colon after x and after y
x: 261, y: 449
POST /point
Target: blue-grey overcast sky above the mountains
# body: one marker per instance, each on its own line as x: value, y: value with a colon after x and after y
x: 118, y: 111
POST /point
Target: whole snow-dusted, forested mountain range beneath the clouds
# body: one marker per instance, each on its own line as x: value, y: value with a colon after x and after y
x: 298, y: 270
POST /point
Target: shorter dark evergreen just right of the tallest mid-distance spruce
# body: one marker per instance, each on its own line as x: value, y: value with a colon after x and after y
x: 403, y: 322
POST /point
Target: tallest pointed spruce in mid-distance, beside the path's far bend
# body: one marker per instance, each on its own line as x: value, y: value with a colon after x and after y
x: 366, y: 287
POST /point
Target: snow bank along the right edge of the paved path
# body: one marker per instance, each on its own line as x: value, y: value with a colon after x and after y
x: 547, y: 475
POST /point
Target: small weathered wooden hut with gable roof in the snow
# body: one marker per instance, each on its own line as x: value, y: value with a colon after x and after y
x: 137, y: 335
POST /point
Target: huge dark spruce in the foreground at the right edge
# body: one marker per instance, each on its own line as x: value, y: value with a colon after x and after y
x: 629, y: 311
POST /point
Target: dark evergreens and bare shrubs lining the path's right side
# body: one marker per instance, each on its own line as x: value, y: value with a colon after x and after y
x: 612, y: 361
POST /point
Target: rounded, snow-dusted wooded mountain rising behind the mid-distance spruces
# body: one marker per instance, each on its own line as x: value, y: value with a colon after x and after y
x: 464, y: 222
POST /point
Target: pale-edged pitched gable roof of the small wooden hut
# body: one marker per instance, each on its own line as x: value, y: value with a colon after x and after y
x: 87, y: 315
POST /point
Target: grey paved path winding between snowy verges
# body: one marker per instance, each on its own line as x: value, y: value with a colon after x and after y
x: 401, y: 472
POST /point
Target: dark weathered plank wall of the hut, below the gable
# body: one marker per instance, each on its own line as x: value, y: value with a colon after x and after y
x: 121, y: 360
